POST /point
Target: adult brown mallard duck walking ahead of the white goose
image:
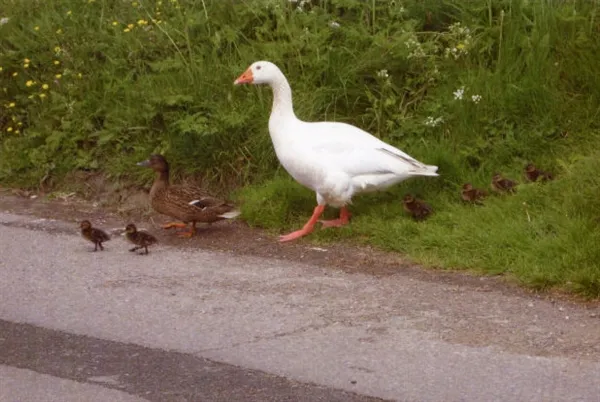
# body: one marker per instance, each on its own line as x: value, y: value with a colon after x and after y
x: 186, y: 203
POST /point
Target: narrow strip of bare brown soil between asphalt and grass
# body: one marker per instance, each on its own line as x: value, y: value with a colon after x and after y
x: 116, y: 208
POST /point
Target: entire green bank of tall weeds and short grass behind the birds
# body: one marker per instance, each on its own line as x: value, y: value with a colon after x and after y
x: 125, y: 92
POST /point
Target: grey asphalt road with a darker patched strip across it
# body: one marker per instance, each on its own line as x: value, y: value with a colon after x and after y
x: 181, y: 325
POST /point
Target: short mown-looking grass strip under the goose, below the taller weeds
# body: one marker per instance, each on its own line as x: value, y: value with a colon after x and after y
x: 545, y: 235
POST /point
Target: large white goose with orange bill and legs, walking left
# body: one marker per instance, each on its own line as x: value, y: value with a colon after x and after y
x: 336, y: 160
